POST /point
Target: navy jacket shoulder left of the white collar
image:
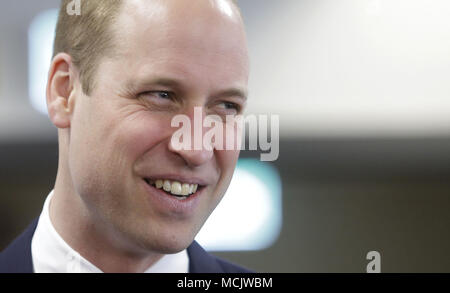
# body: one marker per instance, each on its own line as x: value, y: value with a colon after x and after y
x: 16, y: 258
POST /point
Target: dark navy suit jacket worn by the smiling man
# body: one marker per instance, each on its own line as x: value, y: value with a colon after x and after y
x: 16, y: 258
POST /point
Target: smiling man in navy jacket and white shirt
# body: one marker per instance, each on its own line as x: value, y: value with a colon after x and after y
x: 125, y: 199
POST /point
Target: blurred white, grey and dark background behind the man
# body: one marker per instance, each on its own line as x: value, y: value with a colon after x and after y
x: 362, y: 90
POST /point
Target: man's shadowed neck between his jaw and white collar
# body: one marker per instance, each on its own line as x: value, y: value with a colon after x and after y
x: 91, y: 237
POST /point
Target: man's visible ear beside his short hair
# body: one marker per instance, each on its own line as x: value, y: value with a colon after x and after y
x: 61, y: 90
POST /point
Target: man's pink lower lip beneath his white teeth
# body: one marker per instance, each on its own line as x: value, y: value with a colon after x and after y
x: 170, y: 204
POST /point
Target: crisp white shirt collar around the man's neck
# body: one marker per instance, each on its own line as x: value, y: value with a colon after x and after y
x: 51, y: 254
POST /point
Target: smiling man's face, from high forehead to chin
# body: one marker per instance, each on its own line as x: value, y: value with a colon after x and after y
x: 171, y: 56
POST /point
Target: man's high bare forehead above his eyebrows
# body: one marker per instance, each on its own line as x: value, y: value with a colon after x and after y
x: 182, y: 35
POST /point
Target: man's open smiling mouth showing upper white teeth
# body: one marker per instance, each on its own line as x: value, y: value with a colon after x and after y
x: 176, y: 189
